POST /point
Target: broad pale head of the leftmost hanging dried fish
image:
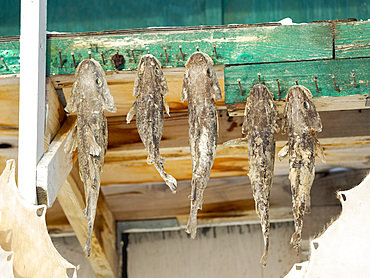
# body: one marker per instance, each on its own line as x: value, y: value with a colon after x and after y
x: 90, y: 86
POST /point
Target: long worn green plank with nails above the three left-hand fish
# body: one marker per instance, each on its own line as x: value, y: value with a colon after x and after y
x: 233, y: 46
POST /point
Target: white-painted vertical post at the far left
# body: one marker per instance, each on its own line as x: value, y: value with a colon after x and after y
x: 32, y: 94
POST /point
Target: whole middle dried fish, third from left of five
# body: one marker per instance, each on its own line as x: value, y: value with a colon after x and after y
x: 200, y: 89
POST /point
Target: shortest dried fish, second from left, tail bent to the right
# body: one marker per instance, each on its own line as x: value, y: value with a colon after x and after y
x: 150, y: 87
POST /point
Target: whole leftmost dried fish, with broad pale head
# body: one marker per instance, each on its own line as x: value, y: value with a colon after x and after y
x: 90, y: 96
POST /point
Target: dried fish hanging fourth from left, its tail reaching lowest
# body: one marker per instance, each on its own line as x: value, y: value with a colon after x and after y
x: 259, y: 126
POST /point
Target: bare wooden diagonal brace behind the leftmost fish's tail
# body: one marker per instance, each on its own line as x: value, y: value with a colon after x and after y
x: 104, y: 258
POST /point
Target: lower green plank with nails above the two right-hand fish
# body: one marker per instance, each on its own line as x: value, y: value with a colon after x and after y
x: 305, y: 72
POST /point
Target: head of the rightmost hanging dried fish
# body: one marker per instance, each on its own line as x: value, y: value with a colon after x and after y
x: 301, y: 110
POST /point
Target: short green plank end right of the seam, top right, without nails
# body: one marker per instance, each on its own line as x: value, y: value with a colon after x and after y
x: 352, y: 39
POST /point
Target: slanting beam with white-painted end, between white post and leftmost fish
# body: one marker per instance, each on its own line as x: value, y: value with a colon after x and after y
x: 56, y: 164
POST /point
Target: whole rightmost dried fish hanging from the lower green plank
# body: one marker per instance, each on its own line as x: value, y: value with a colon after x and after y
x: 301, y: 121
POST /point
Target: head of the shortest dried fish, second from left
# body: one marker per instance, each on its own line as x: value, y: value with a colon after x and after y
x: 150, y: 72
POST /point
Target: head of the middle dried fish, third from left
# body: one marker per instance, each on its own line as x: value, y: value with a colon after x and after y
x: 199, y: 67
